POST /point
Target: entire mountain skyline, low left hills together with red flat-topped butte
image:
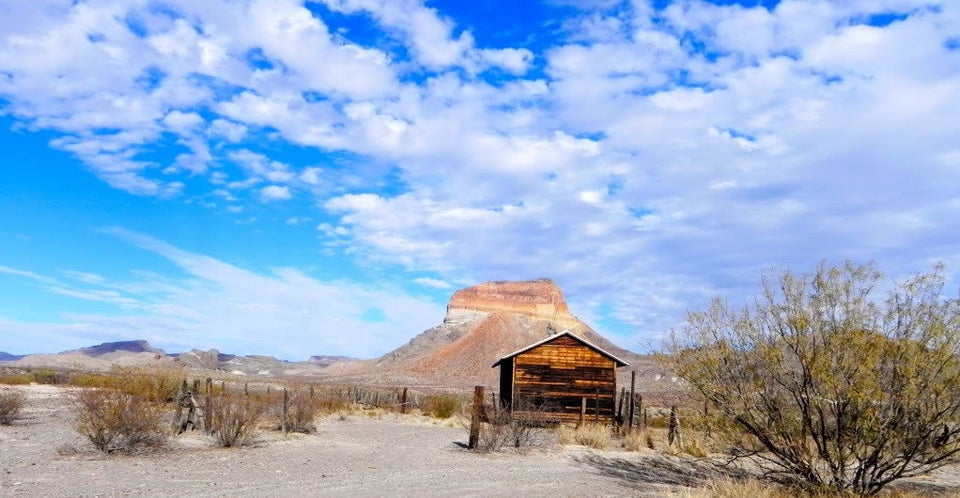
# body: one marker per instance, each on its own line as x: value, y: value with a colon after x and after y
x: 483, y: 323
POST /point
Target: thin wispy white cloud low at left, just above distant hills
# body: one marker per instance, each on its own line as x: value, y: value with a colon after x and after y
x: 284, y: 312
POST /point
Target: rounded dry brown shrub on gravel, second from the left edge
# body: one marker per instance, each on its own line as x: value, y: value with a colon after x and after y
x: 115, y: 421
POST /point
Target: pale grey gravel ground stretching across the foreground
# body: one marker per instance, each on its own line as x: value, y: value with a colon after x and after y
x: 352, y: 455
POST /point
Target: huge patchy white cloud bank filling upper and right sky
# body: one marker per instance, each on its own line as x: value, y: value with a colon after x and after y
x: 644, y: 159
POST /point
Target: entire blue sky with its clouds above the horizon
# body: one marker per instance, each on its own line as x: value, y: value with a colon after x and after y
x: 298, y: 178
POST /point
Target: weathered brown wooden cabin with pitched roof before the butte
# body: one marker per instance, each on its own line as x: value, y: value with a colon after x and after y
x: 550, y: 379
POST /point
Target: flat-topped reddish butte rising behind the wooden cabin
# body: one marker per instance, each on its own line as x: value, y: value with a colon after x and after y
x: 484, y: 323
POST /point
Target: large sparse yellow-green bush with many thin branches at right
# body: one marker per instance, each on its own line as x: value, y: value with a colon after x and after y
x: 829, y: 385
